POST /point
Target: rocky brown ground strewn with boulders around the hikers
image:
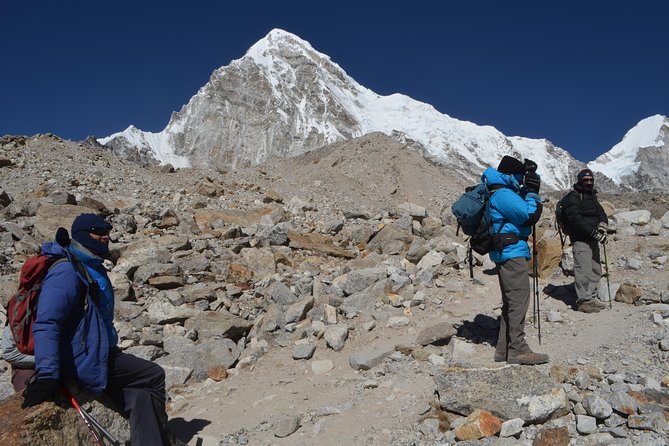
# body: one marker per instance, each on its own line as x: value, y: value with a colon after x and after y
x: 325, y: 299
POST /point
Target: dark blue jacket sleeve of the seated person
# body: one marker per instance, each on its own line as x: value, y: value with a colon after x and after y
x: 59, y: 295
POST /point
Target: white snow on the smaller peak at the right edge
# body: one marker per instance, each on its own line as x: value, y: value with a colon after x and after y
x: 621, y: 159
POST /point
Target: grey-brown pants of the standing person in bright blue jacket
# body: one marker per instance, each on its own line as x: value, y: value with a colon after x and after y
x: 514, y: 283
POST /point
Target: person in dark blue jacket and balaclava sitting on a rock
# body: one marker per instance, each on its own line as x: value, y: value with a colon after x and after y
x: 75, y: 336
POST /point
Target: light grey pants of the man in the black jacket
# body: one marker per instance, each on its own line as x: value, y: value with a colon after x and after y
x: 587, y: 270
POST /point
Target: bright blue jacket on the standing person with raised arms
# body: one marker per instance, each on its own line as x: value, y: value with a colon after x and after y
x: 513, y: 208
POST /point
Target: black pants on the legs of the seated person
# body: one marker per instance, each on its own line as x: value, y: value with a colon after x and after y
x: 138, y: 387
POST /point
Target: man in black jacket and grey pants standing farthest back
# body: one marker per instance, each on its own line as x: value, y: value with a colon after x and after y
x: 587, y: 229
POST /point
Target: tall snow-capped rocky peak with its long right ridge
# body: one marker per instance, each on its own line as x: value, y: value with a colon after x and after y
x: 284, y: 98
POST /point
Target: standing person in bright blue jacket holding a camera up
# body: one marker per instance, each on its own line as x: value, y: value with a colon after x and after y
x: 514, y: 208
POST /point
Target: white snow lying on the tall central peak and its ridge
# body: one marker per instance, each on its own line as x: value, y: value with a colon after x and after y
x: 441, y: 135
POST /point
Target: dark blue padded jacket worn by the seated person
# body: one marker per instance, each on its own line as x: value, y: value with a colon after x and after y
x: 71, y: 337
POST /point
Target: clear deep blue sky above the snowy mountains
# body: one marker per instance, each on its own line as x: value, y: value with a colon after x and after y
x: 579, y: 74
